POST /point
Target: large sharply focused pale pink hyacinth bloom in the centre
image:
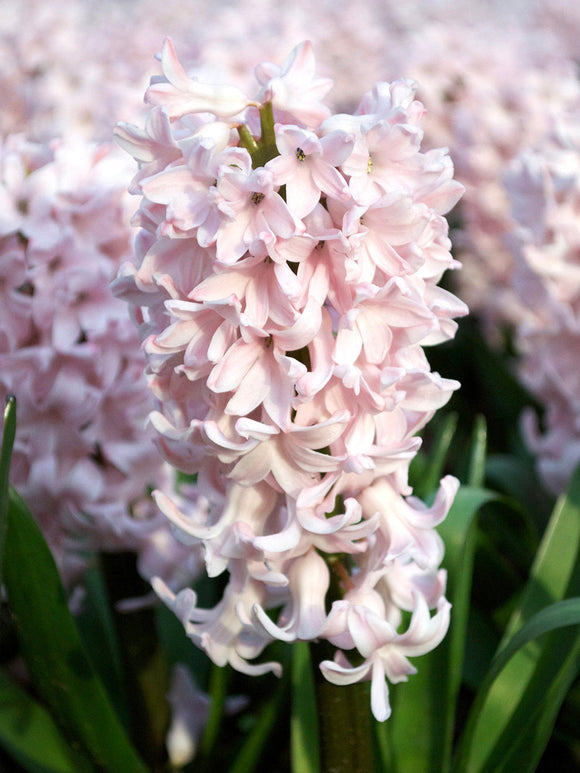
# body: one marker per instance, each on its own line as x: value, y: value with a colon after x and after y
x: 284, y: 282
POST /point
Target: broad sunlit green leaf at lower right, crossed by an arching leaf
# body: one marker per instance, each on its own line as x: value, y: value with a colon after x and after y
x: 501, y: 713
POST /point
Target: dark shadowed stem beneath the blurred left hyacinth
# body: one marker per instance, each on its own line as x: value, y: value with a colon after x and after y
x: 144, y: 665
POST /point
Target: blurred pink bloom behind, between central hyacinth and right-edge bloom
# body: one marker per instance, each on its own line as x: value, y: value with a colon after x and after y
x: 490, y: 92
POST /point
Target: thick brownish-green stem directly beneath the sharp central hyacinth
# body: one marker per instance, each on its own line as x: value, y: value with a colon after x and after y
x: 345, y: 722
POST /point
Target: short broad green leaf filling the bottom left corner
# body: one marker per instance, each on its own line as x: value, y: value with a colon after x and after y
x: 29, y: 734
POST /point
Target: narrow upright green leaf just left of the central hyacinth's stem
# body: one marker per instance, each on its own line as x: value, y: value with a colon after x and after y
x: 304, y: 744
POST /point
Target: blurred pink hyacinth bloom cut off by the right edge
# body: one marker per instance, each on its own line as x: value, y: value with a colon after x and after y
x: 544, y: 185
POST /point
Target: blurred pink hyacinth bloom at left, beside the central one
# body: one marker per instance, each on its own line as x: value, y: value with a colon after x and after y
x: 82, y: 460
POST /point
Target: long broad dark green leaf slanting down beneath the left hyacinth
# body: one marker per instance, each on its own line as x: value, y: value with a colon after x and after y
x: 52, y: 649
